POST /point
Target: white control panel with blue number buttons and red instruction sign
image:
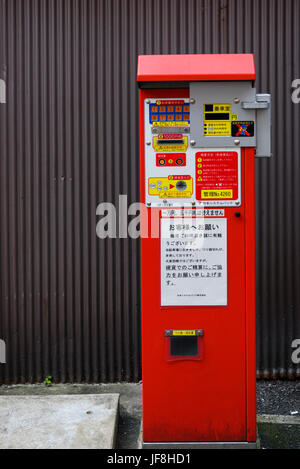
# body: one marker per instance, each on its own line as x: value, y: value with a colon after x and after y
x: 177, y: 174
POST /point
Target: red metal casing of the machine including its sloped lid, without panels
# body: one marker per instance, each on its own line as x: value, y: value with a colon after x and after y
x: 211, y: 398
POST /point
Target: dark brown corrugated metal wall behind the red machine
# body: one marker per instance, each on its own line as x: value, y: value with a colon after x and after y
x: 70, y: 302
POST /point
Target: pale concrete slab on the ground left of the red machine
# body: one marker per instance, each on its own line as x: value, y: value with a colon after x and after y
x: 61, y: 421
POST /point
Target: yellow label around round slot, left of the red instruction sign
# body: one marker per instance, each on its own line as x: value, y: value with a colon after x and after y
x: 166, y: 188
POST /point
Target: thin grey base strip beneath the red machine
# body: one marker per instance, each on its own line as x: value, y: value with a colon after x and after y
x: 201, y: 445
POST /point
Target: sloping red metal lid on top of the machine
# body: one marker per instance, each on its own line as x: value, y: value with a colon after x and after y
x: 195, y: 67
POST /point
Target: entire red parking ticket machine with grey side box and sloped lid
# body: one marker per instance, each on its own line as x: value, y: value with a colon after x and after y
x: 201, y: 126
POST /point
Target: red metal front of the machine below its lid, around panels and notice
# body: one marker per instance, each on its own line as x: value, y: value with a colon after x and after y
x: 213, y: 399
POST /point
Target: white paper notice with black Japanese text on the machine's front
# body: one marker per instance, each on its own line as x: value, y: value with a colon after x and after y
x: 194, y: 262
